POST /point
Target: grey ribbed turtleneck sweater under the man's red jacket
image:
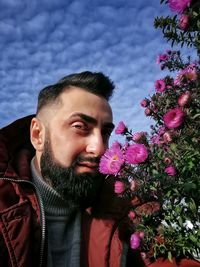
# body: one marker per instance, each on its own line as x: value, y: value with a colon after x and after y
x: 63, y: 230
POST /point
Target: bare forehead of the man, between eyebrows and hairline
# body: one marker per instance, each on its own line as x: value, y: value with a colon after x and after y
x: 78, y: 100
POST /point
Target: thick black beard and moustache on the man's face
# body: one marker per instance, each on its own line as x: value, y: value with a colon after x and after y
x: 78, y: 190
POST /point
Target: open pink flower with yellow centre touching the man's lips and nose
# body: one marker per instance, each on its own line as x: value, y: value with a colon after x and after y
x: 112, y: 161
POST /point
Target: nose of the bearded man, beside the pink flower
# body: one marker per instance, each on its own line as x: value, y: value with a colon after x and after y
x: 96, y: 145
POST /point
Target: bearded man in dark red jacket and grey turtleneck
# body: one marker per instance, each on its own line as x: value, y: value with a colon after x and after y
x: 55, y: 207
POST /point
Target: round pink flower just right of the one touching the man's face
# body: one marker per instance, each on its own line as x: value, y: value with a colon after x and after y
x: 136, y: 153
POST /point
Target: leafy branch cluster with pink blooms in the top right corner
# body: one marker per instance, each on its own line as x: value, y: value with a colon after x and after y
x: 184, y: 26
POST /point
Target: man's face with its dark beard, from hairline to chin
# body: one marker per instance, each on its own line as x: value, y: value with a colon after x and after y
x: 76, y: 137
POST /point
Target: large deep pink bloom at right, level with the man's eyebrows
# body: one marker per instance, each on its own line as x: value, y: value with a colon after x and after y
x: 173, y: 118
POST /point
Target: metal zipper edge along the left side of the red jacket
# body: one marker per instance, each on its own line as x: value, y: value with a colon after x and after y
x: 42, y: 213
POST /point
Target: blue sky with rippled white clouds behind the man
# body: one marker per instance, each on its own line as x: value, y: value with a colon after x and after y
x: 44, y: 40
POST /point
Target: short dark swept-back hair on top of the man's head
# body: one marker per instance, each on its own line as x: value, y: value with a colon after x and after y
x: 94, y: 82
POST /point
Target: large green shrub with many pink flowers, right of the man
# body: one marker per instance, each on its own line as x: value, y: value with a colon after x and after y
x: 159, y: 171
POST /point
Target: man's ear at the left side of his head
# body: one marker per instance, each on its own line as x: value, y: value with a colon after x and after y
x: 37, y: 134
